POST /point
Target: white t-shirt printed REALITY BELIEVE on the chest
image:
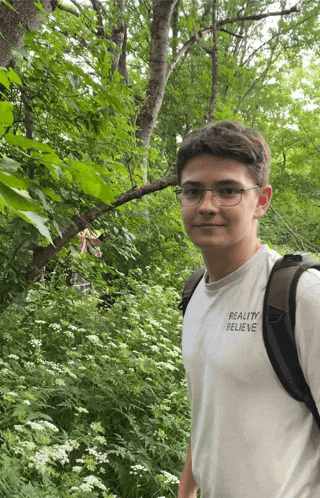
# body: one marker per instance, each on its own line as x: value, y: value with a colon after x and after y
x: 249, y: 437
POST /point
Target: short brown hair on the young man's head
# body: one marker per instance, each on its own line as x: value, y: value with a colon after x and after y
x: 230, y: 140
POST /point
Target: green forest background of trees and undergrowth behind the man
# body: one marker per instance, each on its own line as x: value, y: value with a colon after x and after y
x: 95, y: 97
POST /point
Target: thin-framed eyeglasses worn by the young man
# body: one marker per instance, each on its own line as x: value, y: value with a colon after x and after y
x: 224, y: 195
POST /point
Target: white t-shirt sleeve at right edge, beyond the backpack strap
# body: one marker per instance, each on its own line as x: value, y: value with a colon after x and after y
x: 307, y: 329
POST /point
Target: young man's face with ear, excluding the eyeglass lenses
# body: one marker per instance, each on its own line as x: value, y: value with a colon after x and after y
x: 233, y: 224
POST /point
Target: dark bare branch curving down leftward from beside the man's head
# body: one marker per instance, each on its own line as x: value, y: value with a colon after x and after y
x: 42, y: 255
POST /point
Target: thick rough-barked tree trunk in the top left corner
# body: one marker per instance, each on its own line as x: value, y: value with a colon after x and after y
x: 26, y: 14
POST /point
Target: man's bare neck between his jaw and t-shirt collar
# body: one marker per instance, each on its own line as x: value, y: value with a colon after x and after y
x: 222, y: 262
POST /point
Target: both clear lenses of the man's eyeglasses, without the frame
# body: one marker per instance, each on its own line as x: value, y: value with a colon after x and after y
x: 224, y: 196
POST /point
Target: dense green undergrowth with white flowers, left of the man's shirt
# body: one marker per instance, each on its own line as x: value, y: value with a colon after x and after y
x: 94, y: 403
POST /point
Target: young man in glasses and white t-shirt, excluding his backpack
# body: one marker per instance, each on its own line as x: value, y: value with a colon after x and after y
x: 249, y: 437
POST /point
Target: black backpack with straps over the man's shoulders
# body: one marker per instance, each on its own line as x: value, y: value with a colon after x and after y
x: 278, y: 322
